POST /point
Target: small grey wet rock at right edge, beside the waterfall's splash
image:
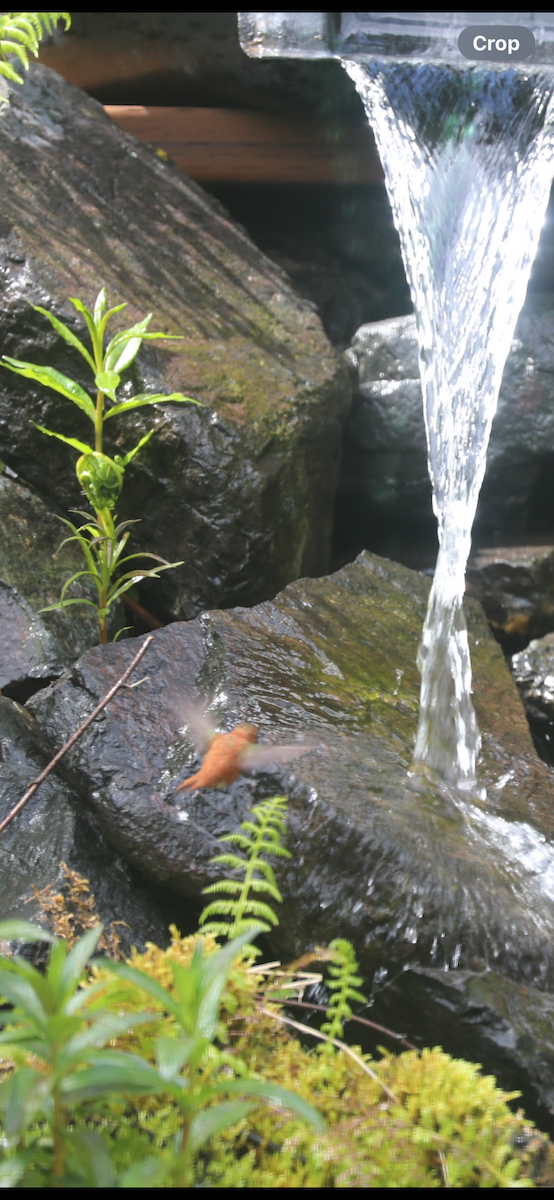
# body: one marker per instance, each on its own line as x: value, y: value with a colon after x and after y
x: 534, y: 674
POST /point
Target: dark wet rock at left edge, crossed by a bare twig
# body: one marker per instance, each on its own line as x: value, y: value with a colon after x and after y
x: 52, y: 830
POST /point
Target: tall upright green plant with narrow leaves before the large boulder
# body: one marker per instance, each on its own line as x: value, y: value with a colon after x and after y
x: 101, y: 478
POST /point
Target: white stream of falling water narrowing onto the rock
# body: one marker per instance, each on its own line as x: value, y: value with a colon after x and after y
x: 468, y: 155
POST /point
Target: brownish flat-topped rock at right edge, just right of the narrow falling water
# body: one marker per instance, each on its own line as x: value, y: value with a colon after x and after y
x: 516, y: 589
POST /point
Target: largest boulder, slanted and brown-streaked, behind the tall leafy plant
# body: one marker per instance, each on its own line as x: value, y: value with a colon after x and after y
x: 242, y: 490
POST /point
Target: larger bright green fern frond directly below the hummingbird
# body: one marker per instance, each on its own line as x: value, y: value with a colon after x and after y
x: 257, y: 838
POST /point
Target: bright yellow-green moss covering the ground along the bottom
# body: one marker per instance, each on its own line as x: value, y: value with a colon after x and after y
x: 439, y: 1124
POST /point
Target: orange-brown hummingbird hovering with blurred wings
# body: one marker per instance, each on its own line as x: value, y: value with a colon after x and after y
x: 230, y: 755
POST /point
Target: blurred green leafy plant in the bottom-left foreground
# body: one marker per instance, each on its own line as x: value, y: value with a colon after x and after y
x: 65, y: 1027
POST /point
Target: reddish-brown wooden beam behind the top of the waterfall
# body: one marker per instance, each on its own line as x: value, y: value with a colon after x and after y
x: 238, y: 146
